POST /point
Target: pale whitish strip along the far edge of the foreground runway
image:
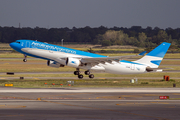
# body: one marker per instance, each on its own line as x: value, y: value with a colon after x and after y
x: 90, y: 90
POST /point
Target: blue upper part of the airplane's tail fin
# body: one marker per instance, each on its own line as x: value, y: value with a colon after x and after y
x: 160, y: 51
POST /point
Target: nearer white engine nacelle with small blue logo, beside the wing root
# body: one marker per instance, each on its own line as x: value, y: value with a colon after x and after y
x: 73, y: 62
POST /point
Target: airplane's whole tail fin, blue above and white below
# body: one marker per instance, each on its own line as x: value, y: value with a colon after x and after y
x: 154, y: 58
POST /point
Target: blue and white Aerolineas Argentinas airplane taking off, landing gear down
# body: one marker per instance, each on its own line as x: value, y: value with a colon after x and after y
x: 58, y: 56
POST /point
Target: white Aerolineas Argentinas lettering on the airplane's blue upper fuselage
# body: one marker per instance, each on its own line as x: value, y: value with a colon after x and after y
x: 50, y: 47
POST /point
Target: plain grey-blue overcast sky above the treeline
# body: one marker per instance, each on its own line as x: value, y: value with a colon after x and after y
x: 92, y: 13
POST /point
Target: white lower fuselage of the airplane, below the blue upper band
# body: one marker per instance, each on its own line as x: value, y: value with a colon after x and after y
x: 121, y: 67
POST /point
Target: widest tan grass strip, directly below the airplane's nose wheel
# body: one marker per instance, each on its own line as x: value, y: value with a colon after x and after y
x: 38, y: 65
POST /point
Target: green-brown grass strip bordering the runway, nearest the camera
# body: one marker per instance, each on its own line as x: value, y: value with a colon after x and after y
x: 90, y: 83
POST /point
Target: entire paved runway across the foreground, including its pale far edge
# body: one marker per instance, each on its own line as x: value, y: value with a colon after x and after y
x: 89, y: 104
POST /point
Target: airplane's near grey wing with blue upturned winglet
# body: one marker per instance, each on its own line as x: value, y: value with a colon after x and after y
x: 108, y: 59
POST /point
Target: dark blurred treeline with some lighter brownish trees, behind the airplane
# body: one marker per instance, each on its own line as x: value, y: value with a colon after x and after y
x: 135, y: 36
